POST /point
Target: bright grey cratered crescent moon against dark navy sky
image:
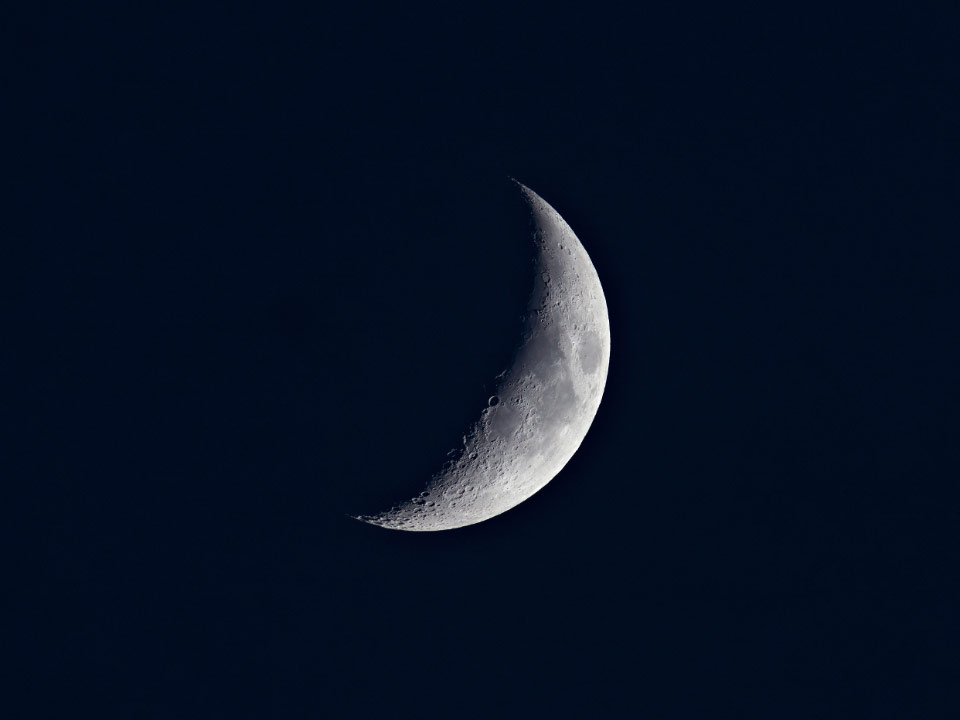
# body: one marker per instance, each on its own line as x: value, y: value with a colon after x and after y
x: 543, y: 404
